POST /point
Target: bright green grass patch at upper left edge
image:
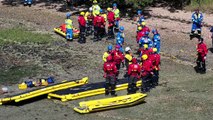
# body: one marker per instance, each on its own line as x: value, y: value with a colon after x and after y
x: 22, y: 35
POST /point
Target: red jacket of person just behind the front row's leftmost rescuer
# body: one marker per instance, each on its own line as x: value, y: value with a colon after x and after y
x: 117, y: 56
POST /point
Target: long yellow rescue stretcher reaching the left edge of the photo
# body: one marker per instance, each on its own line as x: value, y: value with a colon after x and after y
x: 43, y: 91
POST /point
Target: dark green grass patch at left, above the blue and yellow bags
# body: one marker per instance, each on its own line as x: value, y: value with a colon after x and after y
x: 14, y: 74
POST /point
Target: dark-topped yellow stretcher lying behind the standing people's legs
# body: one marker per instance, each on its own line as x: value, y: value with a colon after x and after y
x: 87, y: 90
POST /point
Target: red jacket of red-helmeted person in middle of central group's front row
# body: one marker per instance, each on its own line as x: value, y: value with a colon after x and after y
x: 134, y: 70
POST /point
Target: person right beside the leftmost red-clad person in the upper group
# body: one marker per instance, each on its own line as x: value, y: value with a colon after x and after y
x: 89, y: 19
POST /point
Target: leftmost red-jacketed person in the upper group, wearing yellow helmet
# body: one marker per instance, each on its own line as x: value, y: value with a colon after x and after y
x: 82, y: 27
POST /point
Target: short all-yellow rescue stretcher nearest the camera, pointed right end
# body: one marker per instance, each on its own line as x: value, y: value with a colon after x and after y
x: 110, y: 103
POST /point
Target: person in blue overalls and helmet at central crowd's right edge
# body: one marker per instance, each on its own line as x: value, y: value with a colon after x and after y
x: 156, y: 40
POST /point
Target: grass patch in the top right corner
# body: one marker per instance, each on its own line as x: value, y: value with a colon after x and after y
x: 204, y: 5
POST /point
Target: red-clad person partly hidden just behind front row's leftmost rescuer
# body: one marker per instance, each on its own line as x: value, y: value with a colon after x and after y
x: 118, y: 57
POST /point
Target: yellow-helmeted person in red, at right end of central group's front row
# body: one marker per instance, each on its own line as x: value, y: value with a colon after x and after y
x: 146, y: 74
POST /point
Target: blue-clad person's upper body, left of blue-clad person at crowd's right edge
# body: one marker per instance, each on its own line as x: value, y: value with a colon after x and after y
x: 145, y: 40
